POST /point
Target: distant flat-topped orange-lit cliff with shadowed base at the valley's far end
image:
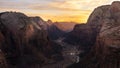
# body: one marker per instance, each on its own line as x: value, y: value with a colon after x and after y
x: 59, y: 29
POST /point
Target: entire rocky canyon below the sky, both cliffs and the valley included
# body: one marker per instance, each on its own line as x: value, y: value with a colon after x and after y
x: 31, y: 42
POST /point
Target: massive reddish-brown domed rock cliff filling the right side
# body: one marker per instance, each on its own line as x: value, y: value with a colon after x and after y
x: 105, y: 20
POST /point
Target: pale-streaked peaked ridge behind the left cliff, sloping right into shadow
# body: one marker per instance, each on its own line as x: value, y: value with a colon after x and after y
x: 53, y: 31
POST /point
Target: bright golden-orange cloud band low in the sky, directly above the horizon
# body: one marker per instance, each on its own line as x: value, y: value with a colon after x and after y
x: 71, y: 16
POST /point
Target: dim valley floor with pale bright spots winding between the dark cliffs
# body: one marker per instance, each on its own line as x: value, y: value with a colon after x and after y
x: 70, y: 54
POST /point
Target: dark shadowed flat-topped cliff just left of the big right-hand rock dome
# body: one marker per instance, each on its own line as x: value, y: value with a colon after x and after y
x: 81, y: 36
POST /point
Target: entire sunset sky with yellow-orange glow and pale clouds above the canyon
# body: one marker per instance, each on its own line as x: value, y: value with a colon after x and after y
x: 56, y: 10
